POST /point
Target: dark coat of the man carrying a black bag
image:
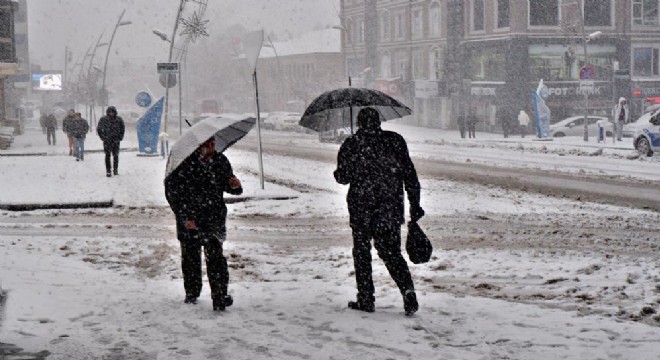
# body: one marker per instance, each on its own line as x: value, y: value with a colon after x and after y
x: 377, y: 166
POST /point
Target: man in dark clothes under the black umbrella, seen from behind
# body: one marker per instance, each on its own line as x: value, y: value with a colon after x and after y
x: 377, y: 166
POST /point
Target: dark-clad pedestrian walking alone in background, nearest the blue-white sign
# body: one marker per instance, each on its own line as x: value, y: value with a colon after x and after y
x: 111, y: 131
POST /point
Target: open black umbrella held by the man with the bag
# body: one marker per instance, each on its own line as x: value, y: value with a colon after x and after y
x: 333, y: 109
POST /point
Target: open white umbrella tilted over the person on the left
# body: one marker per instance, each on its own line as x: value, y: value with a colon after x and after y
x: 226, y: 128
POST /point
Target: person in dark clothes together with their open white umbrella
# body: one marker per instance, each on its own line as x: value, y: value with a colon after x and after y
x: 197, y: 176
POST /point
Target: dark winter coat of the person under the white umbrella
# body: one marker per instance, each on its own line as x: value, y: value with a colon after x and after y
x: 195, y: 191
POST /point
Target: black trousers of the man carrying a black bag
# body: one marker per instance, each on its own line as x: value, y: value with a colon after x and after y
x: 387, y: 241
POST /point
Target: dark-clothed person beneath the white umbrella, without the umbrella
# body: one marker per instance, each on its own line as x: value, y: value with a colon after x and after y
x: 195, y: 192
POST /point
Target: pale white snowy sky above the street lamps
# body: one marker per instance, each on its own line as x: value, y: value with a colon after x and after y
x: 54, y: 24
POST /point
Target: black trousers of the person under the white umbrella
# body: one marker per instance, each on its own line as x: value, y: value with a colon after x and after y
x: 191, y: 263
